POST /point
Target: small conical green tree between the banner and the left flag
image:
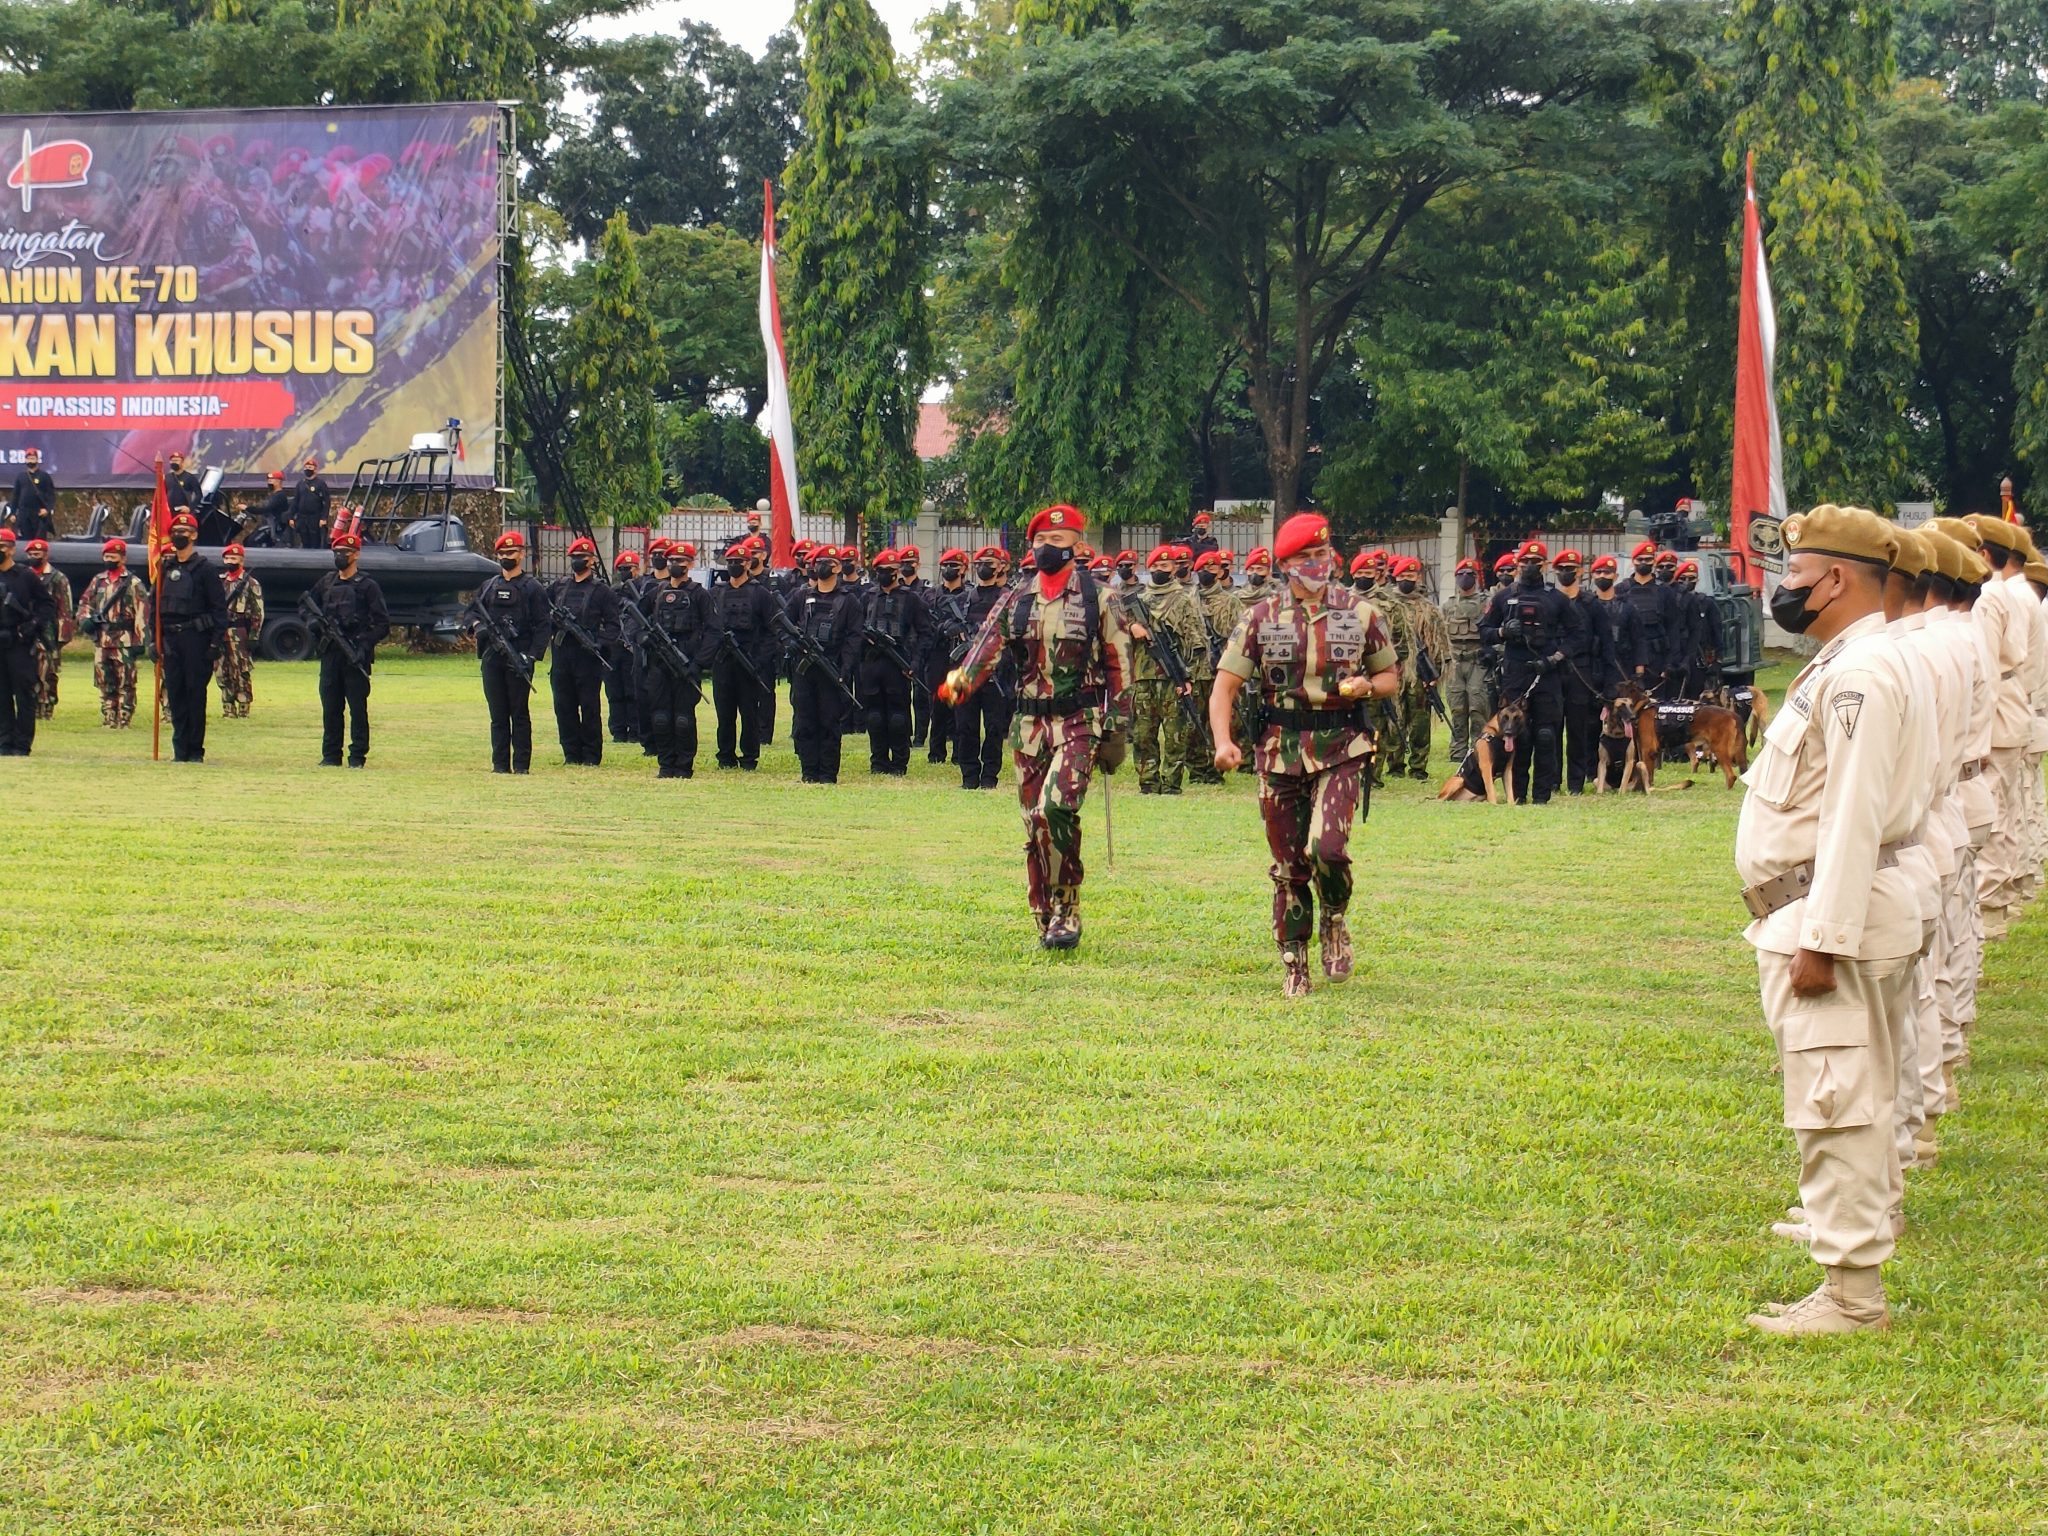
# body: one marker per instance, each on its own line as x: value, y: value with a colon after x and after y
x: 615, y: 368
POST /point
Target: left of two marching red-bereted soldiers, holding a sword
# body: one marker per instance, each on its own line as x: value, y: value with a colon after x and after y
x: 1072, y: 710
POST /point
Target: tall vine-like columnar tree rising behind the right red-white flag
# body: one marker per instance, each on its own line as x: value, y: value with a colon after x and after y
x: 1809, y: 81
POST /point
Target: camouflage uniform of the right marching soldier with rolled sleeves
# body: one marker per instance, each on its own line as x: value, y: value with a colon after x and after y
x: 1297, y: 654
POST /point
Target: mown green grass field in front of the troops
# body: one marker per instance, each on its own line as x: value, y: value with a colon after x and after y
x: 431, y: 1152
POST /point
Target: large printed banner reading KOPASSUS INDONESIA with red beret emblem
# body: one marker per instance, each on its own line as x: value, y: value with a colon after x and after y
x: 247, y: 288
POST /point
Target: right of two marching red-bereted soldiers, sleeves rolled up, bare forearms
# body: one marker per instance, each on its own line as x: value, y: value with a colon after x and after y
x: 1316, y: 654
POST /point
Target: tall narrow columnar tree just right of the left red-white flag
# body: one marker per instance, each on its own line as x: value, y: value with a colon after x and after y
x: 853, y: 290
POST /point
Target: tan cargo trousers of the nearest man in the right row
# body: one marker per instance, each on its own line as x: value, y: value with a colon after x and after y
x: 1840, y: 1084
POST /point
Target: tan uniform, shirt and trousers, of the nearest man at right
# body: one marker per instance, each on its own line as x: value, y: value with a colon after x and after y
x: 1838, y: 787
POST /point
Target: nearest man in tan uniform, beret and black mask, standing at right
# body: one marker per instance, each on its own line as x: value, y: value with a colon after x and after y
x: 1836, y: 921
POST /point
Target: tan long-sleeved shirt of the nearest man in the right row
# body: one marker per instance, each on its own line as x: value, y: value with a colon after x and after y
x: 1840, y: 775
